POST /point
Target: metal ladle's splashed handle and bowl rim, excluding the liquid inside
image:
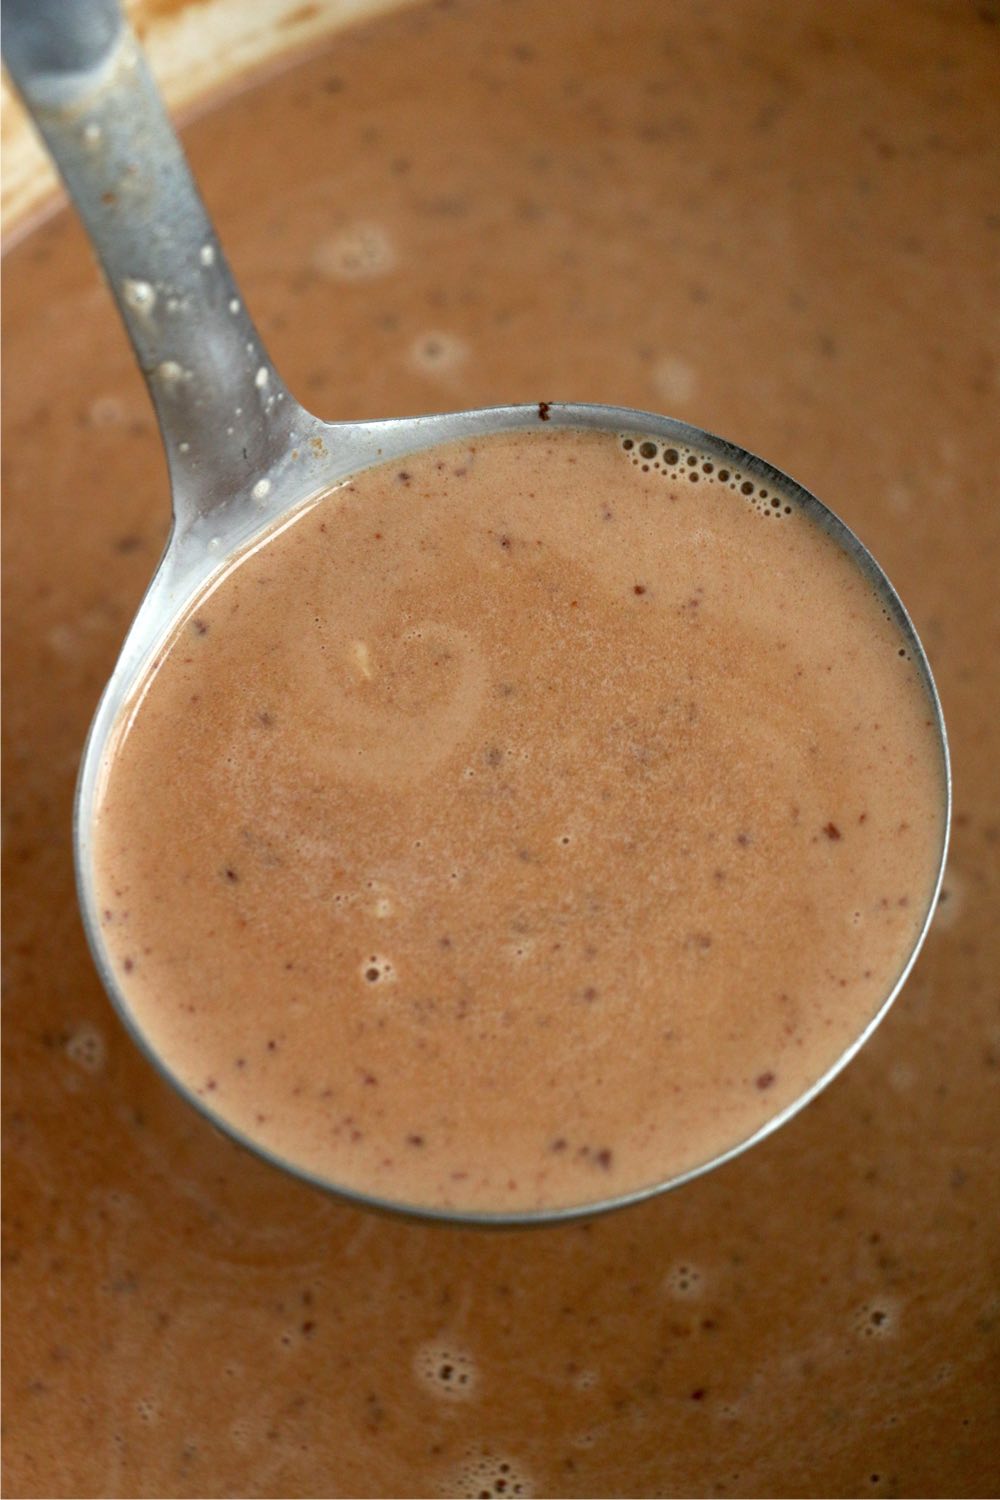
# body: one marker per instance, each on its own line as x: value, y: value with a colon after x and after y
x: 241, y: 451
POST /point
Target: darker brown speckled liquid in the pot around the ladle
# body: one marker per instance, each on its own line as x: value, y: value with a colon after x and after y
x: 800, y: 203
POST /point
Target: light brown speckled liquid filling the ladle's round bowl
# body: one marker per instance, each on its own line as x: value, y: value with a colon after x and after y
x: 521, y: 827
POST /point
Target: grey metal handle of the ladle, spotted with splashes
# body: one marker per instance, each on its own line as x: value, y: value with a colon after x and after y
x: 224, y: 413
